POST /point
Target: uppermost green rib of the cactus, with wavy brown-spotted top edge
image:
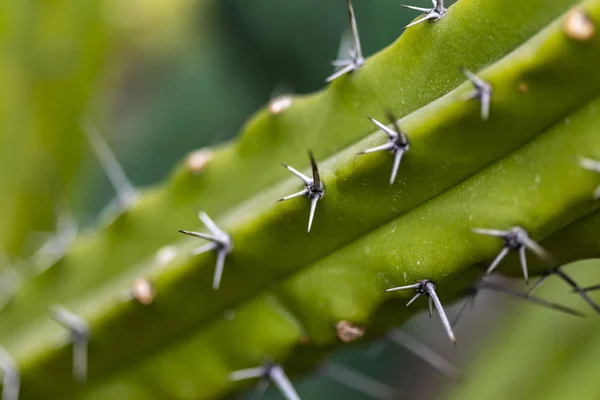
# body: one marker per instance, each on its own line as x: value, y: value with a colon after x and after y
x: 333, y: 118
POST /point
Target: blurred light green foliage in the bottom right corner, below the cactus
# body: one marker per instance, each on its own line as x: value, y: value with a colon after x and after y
x: 536, y: 354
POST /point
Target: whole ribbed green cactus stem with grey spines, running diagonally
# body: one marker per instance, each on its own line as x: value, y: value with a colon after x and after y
x: 139, y: 294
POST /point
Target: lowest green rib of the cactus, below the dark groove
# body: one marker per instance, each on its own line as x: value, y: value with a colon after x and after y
x: 317, y: 304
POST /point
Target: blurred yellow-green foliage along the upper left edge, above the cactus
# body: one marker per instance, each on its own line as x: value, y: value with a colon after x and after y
x: 51, y: 56
